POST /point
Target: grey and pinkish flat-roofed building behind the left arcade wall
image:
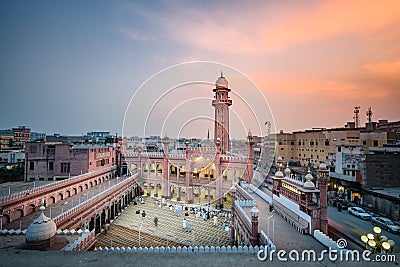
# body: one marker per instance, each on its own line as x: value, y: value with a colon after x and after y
x: 46, y: 161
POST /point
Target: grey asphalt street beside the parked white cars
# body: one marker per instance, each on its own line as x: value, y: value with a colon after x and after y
x: 356, y: 227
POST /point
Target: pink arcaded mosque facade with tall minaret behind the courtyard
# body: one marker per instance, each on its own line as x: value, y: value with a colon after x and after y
x: 208, y: 170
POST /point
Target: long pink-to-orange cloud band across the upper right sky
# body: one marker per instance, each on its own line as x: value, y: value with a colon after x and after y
x: 289, y: 27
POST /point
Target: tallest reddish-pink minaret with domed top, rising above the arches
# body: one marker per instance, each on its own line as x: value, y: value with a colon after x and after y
x: 221, y: 104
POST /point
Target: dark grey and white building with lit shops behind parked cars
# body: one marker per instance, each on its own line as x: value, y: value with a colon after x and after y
x: 368, y: 178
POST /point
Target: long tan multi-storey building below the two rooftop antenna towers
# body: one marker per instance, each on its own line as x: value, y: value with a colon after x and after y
x: 309, y: 148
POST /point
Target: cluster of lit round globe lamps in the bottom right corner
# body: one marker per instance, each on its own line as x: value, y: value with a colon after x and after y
x: 377, y: 243
